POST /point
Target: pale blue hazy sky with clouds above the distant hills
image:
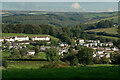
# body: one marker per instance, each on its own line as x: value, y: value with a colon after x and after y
x: 62, y: 6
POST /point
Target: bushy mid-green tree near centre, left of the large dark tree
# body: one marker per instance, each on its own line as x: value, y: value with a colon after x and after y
x: 52, y: 54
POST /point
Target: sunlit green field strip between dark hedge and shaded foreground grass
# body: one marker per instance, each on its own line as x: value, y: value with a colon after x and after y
x: 26, y: 64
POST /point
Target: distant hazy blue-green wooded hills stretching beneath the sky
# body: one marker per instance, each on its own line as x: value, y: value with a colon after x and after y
x: 61, y: 19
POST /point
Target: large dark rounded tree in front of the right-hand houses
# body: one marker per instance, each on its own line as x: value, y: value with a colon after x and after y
x: 85, y: 56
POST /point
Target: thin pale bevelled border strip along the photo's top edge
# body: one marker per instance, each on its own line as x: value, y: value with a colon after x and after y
x: 60, y: 0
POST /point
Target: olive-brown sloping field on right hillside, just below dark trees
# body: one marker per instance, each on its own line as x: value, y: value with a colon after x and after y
x: 112, y: 30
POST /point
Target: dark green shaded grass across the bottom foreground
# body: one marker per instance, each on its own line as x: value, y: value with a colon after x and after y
x: 104, y: 72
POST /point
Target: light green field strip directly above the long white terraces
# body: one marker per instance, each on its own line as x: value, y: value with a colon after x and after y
x: 22, y: 34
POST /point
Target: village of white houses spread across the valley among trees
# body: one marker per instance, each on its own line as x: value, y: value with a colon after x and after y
x: 100, y: 49
